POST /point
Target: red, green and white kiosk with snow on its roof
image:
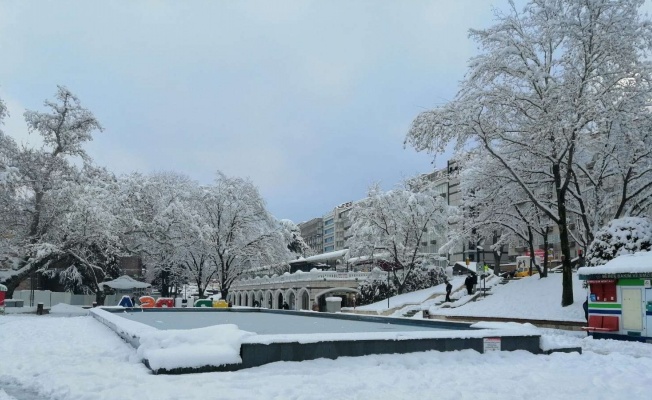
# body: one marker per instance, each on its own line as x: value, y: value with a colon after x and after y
x: 620, y: 298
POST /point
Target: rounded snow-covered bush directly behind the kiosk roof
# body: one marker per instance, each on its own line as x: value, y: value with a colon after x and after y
x: 621, y: 236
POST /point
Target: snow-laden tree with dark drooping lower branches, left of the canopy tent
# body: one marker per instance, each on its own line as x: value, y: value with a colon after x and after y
x: 82, y: 244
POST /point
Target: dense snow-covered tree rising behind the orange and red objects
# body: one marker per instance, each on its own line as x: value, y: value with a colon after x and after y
x: 161, y: 224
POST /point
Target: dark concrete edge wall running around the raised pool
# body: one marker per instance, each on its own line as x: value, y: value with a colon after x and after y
x: 257, y: 354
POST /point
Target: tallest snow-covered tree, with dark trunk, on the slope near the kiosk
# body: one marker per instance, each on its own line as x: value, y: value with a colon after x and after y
x: 550, y: 81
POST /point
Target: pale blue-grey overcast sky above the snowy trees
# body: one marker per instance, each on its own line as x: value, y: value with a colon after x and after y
x: 309, y: 99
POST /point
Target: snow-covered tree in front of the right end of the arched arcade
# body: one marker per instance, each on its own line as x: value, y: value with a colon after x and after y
x: 394, y: 223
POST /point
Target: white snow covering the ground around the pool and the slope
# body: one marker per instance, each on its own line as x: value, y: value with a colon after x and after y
x: 76, y: 357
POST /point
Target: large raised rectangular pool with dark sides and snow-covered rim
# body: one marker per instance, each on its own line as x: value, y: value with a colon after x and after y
x: 187, y: 340
